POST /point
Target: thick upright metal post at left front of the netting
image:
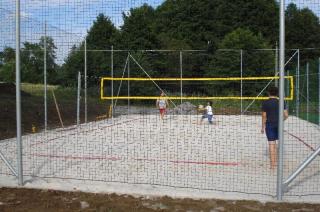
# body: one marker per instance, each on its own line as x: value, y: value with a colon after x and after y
x: 18, y: 96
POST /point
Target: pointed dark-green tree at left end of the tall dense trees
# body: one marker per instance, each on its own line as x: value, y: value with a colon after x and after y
x: 101, y: 36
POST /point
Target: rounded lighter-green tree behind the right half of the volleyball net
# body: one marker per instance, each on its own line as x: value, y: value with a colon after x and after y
x: 256, y: 62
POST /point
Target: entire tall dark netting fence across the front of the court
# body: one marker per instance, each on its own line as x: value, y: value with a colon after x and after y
x: 158, y: 92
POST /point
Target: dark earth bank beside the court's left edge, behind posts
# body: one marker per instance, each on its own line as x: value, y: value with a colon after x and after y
x: 32, y: 108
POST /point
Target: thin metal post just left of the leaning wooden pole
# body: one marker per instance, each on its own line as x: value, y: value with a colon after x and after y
x: 45, y: 78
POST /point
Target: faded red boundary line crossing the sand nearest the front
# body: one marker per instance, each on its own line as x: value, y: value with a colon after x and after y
x: 113, y: 158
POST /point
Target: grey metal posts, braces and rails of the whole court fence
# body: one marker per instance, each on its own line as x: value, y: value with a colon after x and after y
x: 280, y: 184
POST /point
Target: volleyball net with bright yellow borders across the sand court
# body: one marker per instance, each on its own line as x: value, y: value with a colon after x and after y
x: 197, y: 84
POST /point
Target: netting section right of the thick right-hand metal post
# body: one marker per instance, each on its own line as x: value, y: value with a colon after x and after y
x: 302, y: 129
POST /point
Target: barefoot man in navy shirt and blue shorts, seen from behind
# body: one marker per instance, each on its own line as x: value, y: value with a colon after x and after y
x: 270, y: 119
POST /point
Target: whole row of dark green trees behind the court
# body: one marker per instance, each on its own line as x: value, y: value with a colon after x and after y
x: 179, y: 25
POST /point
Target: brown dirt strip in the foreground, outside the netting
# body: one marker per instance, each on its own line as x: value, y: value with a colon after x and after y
x: 47, y: 200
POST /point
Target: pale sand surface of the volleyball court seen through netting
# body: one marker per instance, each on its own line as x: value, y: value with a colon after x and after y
x: 230, y: 155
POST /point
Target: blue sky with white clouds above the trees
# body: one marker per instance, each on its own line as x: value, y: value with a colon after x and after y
x: 68, y: 20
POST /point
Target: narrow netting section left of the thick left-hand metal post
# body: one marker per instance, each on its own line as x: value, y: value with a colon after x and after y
x: 7, y: 90
